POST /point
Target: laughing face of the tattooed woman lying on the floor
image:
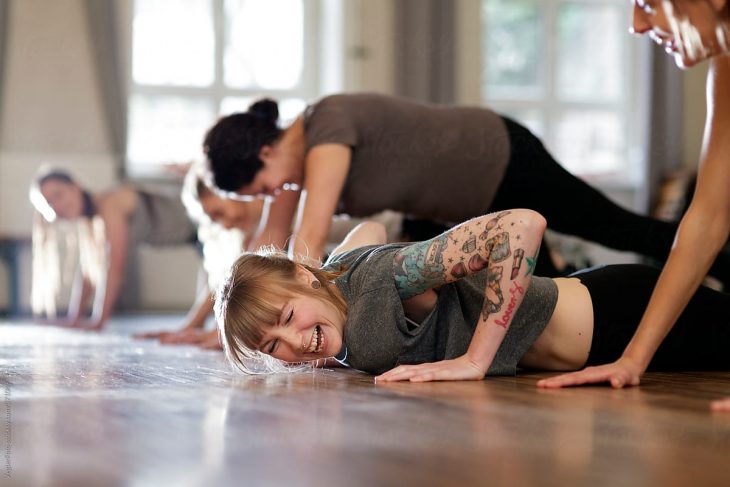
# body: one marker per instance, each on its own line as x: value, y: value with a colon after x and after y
x: 307, y: 328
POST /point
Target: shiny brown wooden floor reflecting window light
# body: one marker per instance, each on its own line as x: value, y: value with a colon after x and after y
x: 102, y: 409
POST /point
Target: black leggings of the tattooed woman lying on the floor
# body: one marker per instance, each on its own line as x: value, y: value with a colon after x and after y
x: 699, y: 340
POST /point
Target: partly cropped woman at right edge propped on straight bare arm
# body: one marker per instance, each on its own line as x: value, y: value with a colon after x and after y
x: 691, y: 31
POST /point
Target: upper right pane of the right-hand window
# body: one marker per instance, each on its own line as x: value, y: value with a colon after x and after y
x: 590, y: 42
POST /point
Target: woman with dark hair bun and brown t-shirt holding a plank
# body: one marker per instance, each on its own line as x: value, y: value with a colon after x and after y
x: 359, y: 154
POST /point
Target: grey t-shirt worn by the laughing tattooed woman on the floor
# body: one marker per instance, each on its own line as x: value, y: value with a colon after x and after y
x: 378, y: 337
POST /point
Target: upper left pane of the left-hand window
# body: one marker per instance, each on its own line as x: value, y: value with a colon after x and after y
x: 173, y: 42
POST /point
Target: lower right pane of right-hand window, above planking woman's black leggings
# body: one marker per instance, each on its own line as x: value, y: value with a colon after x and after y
x: 591, y: 142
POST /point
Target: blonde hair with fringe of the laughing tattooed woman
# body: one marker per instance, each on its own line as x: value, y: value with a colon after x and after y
x: 244, y: 308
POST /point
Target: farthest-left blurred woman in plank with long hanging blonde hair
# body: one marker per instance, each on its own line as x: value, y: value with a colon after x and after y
x: 98, y: 231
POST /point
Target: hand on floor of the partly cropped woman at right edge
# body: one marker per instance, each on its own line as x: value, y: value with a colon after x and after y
x: 622, y: 373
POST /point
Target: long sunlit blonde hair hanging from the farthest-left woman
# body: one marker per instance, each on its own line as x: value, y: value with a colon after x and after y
x: 60, y: 248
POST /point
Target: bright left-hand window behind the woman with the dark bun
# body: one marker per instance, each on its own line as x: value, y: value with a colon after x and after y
x: 194, y: 60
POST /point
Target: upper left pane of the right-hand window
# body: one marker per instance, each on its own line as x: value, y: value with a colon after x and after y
x: 512, y: 40
